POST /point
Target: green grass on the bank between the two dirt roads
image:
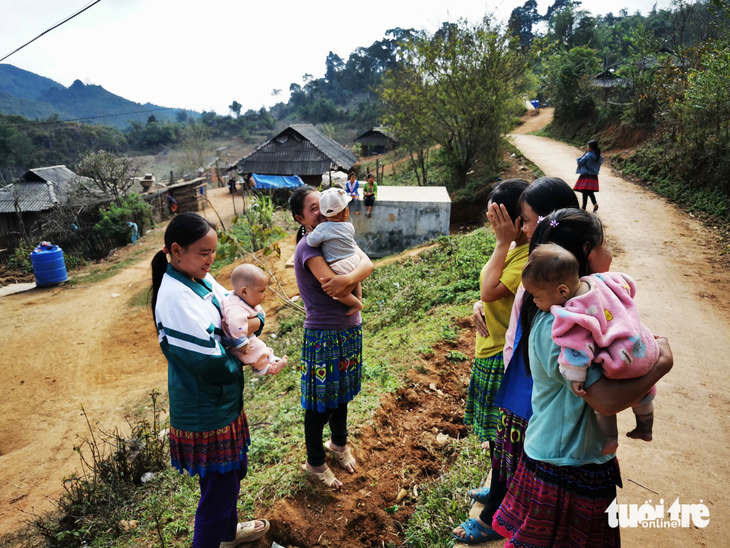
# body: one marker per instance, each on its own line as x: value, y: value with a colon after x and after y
x: 410, y: 306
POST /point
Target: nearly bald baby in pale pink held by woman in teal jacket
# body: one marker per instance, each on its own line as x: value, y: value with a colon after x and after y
x: 249, y: 289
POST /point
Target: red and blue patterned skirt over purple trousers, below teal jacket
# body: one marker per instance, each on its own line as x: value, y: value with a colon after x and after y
x: 216, y: 451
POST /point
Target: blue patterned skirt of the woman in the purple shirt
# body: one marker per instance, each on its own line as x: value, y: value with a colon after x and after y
x: 331, y: 367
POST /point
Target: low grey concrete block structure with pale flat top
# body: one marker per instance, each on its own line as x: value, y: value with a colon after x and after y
x: 402, y: 217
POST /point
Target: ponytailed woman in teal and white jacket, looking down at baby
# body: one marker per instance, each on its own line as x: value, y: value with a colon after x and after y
x: 208, y: 428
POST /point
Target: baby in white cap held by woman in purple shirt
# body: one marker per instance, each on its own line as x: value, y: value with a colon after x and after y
x: 337, y: 239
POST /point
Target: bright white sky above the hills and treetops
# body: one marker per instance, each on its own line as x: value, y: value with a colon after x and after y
x: 202, y: 55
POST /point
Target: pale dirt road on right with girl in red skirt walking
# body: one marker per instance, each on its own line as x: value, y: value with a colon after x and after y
x: 683, y: 293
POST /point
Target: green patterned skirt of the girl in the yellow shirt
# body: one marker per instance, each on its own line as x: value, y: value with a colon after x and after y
x: 486, y: 376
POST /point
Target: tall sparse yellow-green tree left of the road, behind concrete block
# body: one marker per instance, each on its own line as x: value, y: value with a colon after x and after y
x: 458, y: 88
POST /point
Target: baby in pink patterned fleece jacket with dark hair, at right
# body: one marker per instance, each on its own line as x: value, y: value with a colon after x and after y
x: 596, y: 320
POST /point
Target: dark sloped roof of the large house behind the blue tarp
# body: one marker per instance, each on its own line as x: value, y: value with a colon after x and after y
x: 301, y: 149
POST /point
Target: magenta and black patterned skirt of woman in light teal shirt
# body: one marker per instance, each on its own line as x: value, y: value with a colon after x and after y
x: 561, y: 506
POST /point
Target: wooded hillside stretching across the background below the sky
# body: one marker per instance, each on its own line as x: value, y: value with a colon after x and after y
x: 663, y: 74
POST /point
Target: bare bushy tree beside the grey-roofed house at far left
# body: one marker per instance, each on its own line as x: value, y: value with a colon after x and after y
x: 111, y: 174
